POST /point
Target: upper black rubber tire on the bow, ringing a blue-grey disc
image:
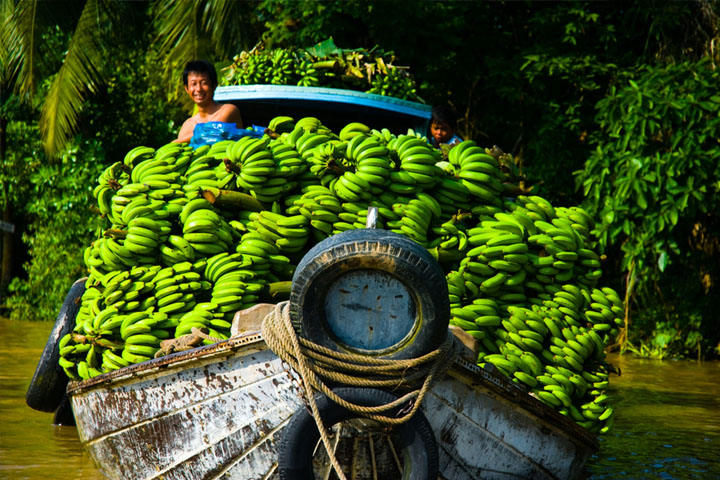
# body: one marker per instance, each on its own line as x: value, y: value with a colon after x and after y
x: 371, y: 249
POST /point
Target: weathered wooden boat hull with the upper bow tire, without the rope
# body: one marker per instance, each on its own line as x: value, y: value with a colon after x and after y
x: 225, y: 410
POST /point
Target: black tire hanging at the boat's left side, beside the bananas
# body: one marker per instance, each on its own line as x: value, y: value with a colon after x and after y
x: 47, y: 387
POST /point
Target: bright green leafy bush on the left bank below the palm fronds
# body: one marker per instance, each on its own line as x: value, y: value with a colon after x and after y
x: 62, y: 223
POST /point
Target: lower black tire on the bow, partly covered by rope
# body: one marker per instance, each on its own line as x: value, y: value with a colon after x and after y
x: 298, y: 439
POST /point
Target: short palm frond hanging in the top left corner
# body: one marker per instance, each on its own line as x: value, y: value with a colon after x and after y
x: 19, y: 40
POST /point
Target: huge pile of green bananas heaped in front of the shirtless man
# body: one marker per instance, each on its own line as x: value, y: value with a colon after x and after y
x: 194, y: 235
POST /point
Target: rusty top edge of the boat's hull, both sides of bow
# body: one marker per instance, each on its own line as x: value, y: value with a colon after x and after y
x: 461, y: 370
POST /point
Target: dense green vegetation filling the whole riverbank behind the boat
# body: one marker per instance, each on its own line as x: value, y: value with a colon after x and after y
x: 608, y: 105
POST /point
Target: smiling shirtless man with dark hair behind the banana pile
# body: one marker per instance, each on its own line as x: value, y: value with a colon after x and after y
x: 200, y: 79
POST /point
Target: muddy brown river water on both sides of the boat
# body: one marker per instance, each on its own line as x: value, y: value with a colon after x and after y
x: 667, y: 419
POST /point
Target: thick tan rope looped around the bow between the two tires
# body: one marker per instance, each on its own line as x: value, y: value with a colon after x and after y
x: 314, y: 363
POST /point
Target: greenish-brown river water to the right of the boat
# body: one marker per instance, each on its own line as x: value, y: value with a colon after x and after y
x: 667, y: 422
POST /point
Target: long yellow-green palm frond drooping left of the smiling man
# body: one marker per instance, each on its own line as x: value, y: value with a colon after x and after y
x: 81, y: 73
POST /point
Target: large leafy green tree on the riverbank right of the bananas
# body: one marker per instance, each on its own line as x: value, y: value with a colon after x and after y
x: 653, y: 181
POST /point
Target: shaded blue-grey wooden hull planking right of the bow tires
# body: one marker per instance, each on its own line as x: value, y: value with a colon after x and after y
x: 479, y: 432
